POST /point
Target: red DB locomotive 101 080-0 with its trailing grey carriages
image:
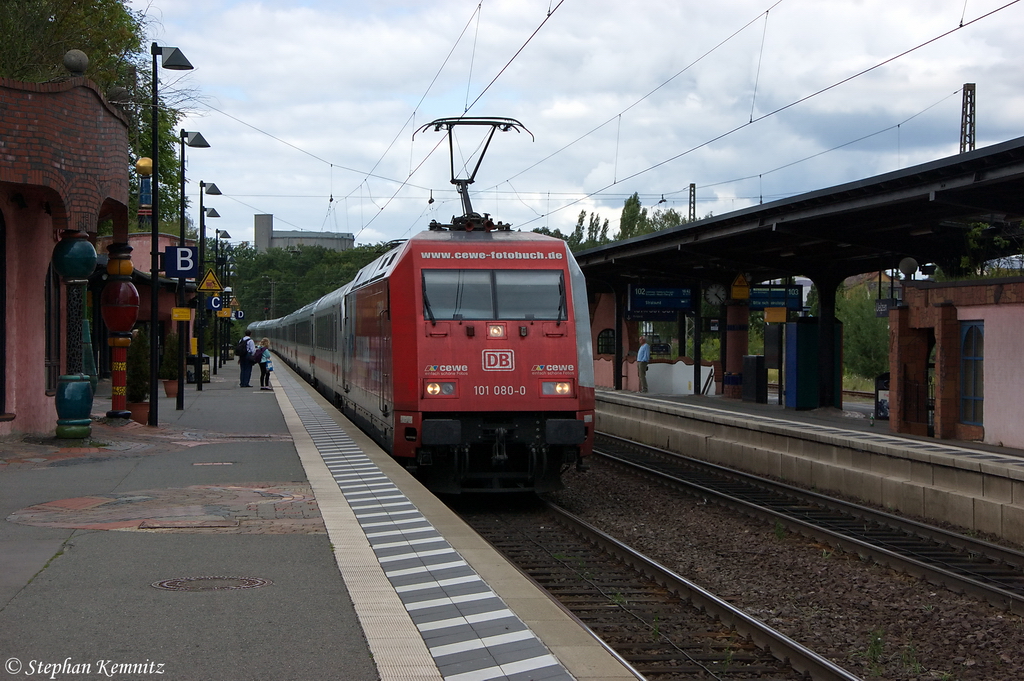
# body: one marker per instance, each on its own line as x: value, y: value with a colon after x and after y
x: 465, y: 353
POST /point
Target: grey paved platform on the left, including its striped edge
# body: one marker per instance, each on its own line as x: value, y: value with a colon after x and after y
x: 258, y: 535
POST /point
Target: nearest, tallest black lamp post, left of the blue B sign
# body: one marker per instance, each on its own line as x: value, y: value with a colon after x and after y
x: 172, y: 58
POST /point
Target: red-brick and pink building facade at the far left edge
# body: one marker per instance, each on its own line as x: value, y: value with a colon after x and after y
x: 64, y: 165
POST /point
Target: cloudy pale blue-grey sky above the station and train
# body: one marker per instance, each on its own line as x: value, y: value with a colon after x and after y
x: 311, y: 107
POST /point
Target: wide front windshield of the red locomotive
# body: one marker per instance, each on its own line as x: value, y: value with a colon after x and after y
x: 487, y: 294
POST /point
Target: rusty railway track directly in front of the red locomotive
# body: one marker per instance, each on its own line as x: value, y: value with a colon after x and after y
x: 662, y: 625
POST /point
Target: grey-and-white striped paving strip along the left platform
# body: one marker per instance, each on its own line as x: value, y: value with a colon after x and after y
x: 470, y: 631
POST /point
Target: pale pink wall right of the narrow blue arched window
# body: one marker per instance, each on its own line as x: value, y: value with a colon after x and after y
x: 1004, y: 371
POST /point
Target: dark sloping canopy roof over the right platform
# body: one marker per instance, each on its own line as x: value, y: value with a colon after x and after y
x: 922, y: 212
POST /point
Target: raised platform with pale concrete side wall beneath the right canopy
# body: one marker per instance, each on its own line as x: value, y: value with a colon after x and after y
x: 976, y: 487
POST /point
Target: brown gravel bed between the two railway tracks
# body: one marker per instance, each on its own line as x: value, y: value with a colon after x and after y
x: 875, y: 622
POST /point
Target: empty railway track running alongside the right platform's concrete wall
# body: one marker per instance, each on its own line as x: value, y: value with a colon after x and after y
x: 962, y: 564
